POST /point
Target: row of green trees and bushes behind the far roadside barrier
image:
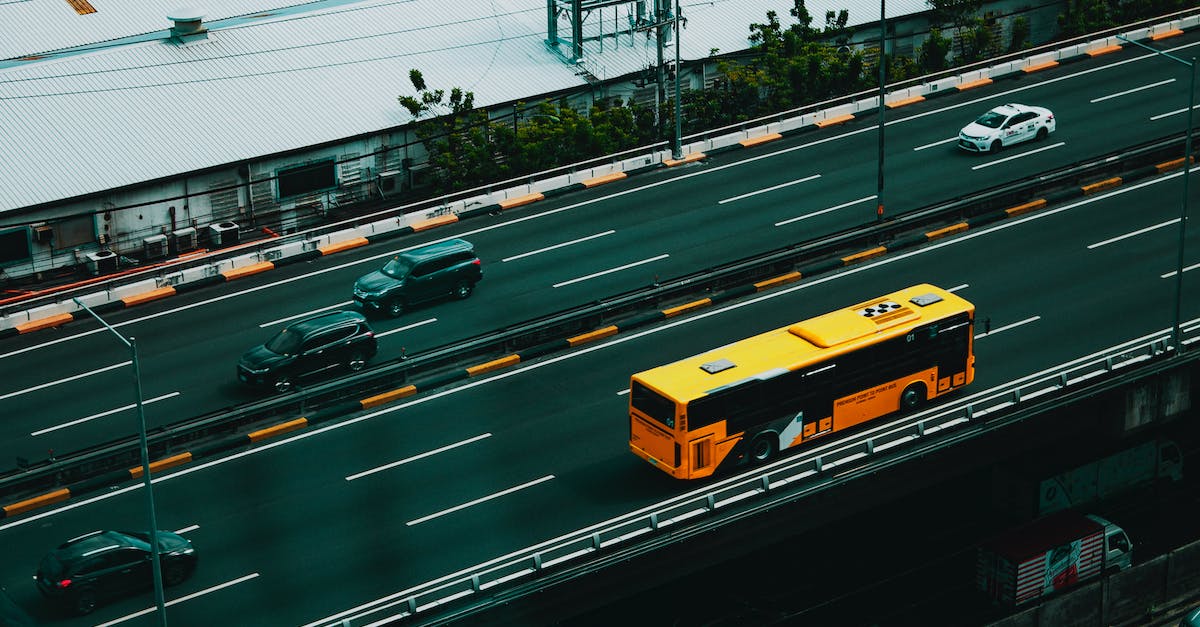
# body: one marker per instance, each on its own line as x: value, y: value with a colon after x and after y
x: 789, y: 67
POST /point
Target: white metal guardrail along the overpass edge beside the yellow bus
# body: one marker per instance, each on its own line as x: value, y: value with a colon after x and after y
x: 539, y: 568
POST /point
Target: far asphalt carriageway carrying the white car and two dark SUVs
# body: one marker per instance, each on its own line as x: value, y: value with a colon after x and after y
x: 575, y: 249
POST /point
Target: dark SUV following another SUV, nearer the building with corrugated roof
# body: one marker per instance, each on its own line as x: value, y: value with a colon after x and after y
x: 437, y: 271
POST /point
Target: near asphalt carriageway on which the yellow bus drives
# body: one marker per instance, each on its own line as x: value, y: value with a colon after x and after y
x: 503, y: 463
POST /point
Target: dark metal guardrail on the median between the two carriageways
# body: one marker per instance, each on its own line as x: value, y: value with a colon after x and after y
x: 164, y: 441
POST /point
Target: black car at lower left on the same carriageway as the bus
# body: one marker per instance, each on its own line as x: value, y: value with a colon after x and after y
x: 103, y: 565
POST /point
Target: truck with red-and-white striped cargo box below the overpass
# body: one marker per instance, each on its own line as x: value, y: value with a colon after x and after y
x: 1048, y: 556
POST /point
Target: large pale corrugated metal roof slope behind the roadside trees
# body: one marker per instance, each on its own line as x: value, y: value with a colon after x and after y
x: 86, y: 123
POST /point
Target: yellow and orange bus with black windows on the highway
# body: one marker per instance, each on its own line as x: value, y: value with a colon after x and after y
x: 745, y: 403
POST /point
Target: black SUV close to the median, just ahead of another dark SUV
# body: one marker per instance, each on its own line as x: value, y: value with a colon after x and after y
x: 309, y: 348
